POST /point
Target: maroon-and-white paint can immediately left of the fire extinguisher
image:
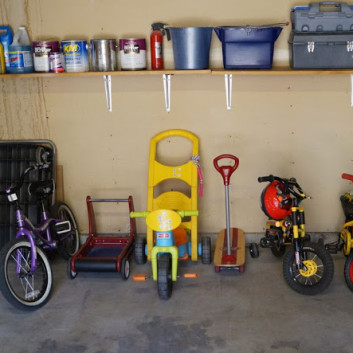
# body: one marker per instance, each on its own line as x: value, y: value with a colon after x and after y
x: 132, y: 54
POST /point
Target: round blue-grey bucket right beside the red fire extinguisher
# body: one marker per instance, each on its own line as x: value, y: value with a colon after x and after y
x: 191, y: 47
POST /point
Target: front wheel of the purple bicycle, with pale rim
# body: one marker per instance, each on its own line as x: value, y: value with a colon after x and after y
x: 21, y: 287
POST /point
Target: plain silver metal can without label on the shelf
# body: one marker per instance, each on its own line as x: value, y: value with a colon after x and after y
x: 104, y: 55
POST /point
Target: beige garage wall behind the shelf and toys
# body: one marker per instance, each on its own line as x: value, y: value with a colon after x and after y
x: 287, y: 125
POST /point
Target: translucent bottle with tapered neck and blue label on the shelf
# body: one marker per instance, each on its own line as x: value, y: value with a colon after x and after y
x: 20, y: 53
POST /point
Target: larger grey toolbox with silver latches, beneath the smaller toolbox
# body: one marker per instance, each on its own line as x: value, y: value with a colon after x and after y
x: 327, y: 50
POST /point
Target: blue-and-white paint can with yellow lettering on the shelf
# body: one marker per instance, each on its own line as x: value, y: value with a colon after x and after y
x: 76, y: 55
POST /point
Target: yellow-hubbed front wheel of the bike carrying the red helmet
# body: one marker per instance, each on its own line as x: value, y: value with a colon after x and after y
x: 317, y: 273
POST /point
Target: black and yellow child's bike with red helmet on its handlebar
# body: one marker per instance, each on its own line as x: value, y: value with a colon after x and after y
x: 307, y: 266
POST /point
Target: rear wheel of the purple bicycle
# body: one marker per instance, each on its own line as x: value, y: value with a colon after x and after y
x: 69, y: 245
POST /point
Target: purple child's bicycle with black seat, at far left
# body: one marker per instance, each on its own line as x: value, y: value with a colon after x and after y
x: 25, y: 273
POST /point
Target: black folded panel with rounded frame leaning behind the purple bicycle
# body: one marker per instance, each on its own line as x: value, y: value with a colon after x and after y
x: 15, y: 157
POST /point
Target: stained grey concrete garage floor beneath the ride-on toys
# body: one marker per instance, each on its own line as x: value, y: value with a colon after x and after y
x: 253, y: 312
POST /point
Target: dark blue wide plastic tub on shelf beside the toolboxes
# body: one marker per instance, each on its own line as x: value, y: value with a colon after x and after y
x: 248, y: 47
